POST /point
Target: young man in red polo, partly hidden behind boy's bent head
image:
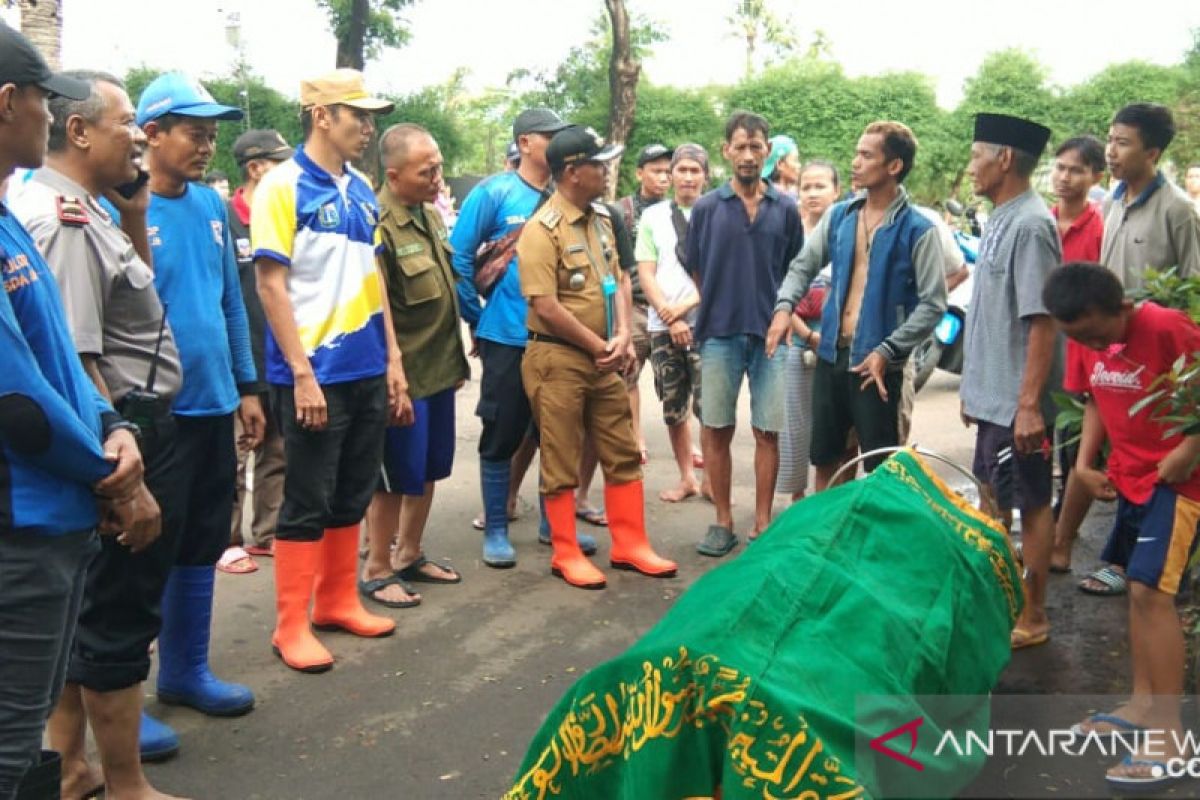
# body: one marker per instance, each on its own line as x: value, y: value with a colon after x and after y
x: 1078, y: 167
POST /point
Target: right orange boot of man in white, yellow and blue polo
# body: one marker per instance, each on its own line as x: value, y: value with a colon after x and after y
x: 337, y: 603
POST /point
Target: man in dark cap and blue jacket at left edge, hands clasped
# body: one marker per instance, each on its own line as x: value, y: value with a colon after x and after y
x: 52, y: 423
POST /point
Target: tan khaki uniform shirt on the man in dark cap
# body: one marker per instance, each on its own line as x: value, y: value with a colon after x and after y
x: 567, y: 252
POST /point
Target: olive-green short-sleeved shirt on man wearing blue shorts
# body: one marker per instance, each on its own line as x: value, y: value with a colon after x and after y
x: 421, y: 279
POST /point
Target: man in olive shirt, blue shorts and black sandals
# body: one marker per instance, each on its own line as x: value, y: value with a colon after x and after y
x: 417, y: 268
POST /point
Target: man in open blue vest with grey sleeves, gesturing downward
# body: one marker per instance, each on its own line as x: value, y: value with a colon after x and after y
x: 886, y: 296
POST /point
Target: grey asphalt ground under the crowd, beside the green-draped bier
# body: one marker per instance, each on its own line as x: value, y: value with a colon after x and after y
x: 447, y: 707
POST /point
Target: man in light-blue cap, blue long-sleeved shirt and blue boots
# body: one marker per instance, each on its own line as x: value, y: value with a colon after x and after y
x: 196, y: 275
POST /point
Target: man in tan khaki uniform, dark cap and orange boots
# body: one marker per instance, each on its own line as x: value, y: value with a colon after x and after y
x: 579, y: 341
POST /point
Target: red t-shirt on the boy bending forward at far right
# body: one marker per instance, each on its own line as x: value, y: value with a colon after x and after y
x: 1118, y: 378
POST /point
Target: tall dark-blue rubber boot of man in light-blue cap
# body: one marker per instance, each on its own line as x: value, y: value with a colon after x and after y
x: 184, y: 675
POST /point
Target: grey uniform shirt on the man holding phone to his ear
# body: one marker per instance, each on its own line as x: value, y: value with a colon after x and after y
x: 109, y: 292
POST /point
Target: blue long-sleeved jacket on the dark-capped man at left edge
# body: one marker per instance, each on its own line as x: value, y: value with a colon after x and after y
x: 47, y: 488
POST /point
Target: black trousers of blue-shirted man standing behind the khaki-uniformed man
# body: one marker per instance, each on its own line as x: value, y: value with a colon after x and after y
x: 503, y: 406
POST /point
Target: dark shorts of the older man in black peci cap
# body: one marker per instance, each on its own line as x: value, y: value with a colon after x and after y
x: 1018, y: 482
